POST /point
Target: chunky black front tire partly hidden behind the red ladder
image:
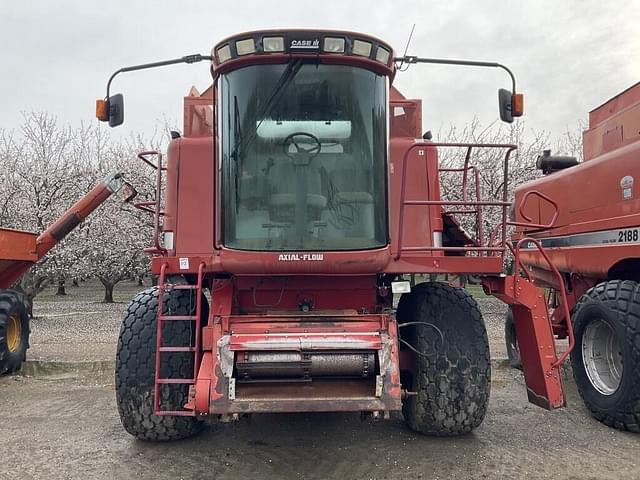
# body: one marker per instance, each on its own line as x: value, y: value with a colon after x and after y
x: 135, y: 366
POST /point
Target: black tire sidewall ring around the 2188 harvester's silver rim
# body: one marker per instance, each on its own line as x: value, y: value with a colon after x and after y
x: 593, y: 310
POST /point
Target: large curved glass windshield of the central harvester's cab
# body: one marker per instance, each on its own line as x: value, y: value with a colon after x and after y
x: 303, y: 148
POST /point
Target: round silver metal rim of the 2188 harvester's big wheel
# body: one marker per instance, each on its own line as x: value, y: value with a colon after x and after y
x: 602, y: 357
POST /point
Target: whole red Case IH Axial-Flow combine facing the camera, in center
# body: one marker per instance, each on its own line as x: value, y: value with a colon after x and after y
x: 298, y: 197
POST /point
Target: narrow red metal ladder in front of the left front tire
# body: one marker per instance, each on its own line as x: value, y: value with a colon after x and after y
x: 163, y: 317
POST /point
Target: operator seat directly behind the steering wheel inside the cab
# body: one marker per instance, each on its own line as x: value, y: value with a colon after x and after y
x: 282, y: 185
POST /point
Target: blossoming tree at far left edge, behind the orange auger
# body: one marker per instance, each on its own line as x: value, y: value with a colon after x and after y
x: 41, y: 180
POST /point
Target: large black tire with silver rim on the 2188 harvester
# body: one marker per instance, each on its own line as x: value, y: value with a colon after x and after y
x: 606, y: 357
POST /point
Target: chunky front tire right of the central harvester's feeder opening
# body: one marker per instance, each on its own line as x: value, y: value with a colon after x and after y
x: 452, y: 377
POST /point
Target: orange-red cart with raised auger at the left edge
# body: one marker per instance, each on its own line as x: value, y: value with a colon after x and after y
x: 20, y: 250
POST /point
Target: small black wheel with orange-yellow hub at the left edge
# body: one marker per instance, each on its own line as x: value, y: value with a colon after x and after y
x: 14, y: 331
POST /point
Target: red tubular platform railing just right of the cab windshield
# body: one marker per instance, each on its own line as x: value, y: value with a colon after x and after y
x: 471, y: 207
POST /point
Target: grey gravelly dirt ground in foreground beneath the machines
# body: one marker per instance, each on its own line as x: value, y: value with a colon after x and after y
x: 60, y: 427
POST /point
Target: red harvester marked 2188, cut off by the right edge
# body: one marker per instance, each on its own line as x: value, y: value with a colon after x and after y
x: 589, y: 223
